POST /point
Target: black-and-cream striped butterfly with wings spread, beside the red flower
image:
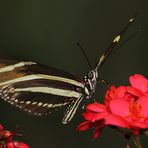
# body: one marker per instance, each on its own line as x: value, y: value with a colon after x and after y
x: 40, y: 89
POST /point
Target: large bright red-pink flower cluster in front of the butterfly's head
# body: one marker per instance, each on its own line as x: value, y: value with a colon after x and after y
x: 124, y: 107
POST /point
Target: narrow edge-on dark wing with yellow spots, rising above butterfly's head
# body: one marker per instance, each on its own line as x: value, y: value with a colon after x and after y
x: 114, y: 43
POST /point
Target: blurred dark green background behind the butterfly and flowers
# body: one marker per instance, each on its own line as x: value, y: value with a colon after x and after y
x: 46, y: 31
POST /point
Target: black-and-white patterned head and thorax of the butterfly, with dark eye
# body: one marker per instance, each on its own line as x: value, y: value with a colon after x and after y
x: 90, y: 82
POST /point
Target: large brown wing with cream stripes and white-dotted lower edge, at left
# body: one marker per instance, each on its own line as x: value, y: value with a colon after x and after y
x: 36, y: 88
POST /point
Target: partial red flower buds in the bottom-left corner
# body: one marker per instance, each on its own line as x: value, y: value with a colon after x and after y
x: 6, y: 139
